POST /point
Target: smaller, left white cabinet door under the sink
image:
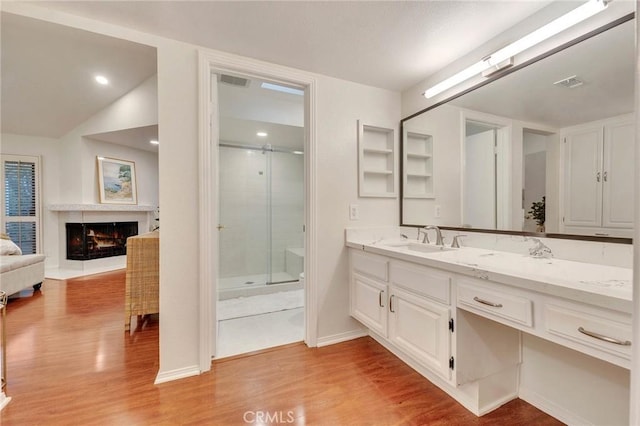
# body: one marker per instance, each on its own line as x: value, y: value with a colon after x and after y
x: 368, y: 303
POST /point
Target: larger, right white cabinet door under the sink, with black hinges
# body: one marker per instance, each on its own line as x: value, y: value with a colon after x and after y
x: 421, y: 329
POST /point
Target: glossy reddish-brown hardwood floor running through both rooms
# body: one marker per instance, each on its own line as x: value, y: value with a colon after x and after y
x: 70, y: 362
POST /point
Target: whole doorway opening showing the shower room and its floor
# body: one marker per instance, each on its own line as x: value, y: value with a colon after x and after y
x: 261, y: 210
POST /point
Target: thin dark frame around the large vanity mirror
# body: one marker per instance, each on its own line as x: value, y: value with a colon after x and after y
x: 493, y: 78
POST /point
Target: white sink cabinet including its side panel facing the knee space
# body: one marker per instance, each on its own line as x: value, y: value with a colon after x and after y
x: 410, y: 309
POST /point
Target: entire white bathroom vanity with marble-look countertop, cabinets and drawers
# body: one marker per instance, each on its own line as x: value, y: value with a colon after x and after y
x: 477, y: 322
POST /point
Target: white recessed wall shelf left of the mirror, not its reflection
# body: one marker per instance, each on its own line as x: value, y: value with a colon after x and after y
x: 376, y: 161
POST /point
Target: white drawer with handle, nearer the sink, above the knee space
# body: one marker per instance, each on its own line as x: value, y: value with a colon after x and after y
x: 494, y: 303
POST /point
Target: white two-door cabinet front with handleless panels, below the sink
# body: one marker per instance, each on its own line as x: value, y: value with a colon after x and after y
x: 406, y: 304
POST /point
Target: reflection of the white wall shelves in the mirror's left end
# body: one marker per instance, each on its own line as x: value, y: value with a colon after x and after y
x: 417, y: 165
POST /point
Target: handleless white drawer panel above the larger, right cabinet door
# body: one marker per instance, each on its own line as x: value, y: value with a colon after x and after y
x: 422, y: 280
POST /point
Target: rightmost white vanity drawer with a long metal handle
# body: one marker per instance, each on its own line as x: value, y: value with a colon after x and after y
x: 591, y: 328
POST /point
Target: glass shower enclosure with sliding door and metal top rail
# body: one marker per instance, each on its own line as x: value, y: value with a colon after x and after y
x: 261, y: 212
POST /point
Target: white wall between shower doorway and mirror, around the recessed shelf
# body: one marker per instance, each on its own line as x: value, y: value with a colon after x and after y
x: 339, y: 105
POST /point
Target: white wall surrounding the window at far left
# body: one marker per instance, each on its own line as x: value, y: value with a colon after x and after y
x: 49, y: 153
